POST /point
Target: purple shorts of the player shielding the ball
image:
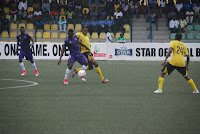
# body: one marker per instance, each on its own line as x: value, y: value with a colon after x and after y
x: 77, y: 57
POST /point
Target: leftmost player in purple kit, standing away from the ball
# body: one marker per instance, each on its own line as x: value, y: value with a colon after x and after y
x: 23, y: 40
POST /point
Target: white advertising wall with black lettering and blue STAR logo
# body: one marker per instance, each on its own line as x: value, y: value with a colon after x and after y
x: 102, y: 51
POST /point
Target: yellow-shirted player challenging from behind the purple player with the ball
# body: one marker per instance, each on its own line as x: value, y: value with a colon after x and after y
x: 92, y: 62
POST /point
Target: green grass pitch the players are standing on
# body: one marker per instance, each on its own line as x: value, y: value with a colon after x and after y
x: 125, y: 105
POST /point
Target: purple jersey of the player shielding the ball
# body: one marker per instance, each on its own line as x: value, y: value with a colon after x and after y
x: 72, y: 44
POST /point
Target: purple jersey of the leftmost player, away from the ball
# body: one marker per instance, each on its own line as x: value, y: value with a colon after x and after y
x: 24, y: 41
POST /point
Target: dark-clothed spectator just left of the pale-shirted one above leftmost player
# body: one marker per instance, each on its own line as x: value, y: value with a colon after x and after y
x: 13, y: 11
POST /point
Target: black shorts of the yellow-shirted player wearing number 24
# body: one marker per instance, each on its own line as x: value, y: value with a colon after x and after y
x: 168, y: 69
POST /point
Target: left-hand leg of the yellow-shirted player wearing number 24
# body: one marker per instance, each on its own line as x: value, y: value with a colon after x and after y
x: 167, y: 69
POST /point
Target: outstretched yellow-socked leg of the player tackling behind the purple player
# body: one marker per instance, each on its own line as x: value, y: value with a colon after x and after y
x: 98, y: 70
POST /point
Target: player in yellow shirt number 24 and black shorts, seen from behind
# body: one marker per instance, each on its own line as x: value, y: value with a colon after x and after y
x: 179, y: 49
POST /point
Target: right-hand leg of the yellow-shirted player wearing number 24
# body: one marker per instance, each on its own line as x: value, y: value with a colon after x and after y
x: 183, y: 71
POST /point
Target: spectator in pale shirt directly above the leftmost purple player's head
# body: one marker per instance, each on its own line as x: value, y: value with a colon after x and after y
x: 22, y: 7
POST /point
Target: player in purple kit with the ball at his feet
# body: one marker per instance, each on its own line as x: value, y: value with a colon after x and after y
x: 72, y: 42
